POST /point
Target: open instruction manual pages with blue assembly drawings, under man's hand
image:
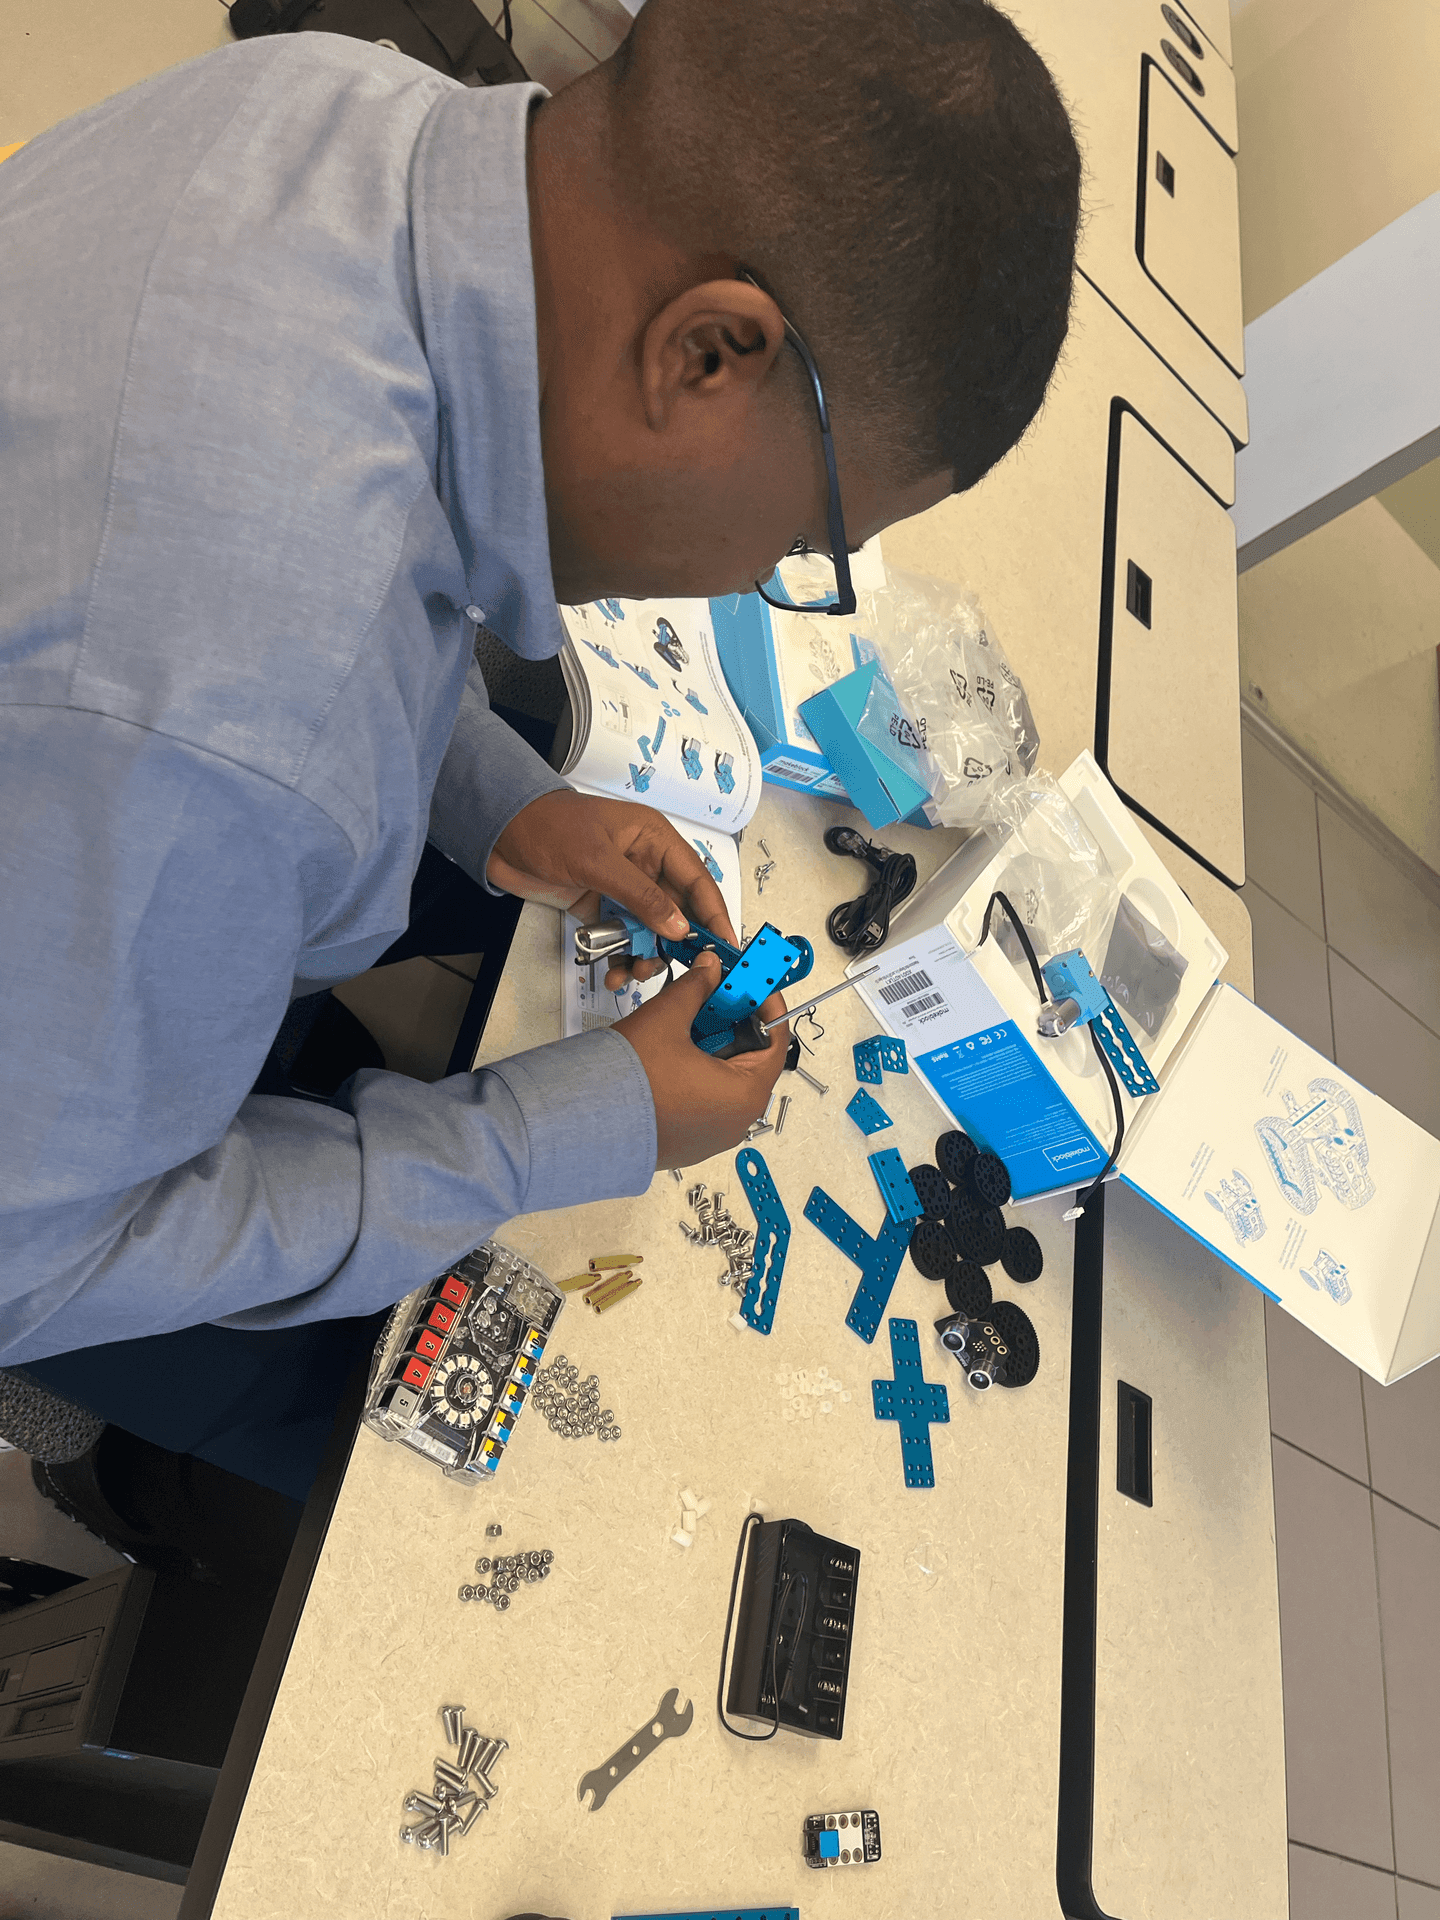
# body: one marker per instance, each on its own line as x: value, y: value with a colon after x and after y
x: 654, y: 721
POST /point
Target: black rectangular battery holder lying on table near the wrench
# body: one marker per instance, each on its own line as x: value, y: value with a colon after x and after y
x: 794, y: 1631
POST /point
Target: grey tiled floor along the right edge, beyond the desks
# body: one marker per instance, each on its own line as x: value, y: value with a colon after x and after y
x: 1349, y: 957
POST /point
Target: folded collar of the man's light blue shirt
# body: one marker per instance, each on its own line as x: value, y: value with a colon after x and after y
x: 479, y: 310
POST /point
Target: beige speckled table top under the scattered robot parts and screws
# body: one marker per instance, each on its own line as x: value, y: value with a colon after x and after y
x: 953, y: 1702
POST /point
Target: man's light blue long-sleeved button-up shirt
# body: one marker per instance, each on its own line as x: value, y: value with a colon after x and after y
x: 270, y: 425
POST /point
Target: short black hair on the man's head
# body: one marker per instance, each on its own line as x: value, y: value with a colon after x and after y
x: 900, y: 174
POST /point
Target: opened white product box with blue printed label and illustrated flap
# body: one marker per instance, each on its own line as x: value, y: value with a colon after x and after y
x: 1257, y: 1145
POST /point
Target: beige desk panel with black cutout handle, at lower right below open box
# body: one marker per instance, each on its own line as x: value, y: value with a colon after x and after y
x: 1189, y: 1737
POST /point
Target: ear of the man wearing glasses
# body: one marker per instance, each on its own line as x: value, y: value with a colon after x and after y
x: 715, y: 343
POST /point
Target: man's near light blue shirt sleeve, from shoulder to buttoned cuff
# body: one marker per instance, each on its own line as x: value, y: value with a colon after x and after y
x: 155, y: 900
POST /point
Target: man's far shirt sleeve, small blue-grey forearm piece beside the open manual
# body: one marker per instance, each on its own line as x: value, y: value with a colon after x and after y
x: 487, y: 779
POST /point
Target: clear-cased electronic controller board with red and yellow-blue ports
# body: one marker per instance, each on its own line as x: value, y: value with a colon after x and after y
x: 456, y: 1360
